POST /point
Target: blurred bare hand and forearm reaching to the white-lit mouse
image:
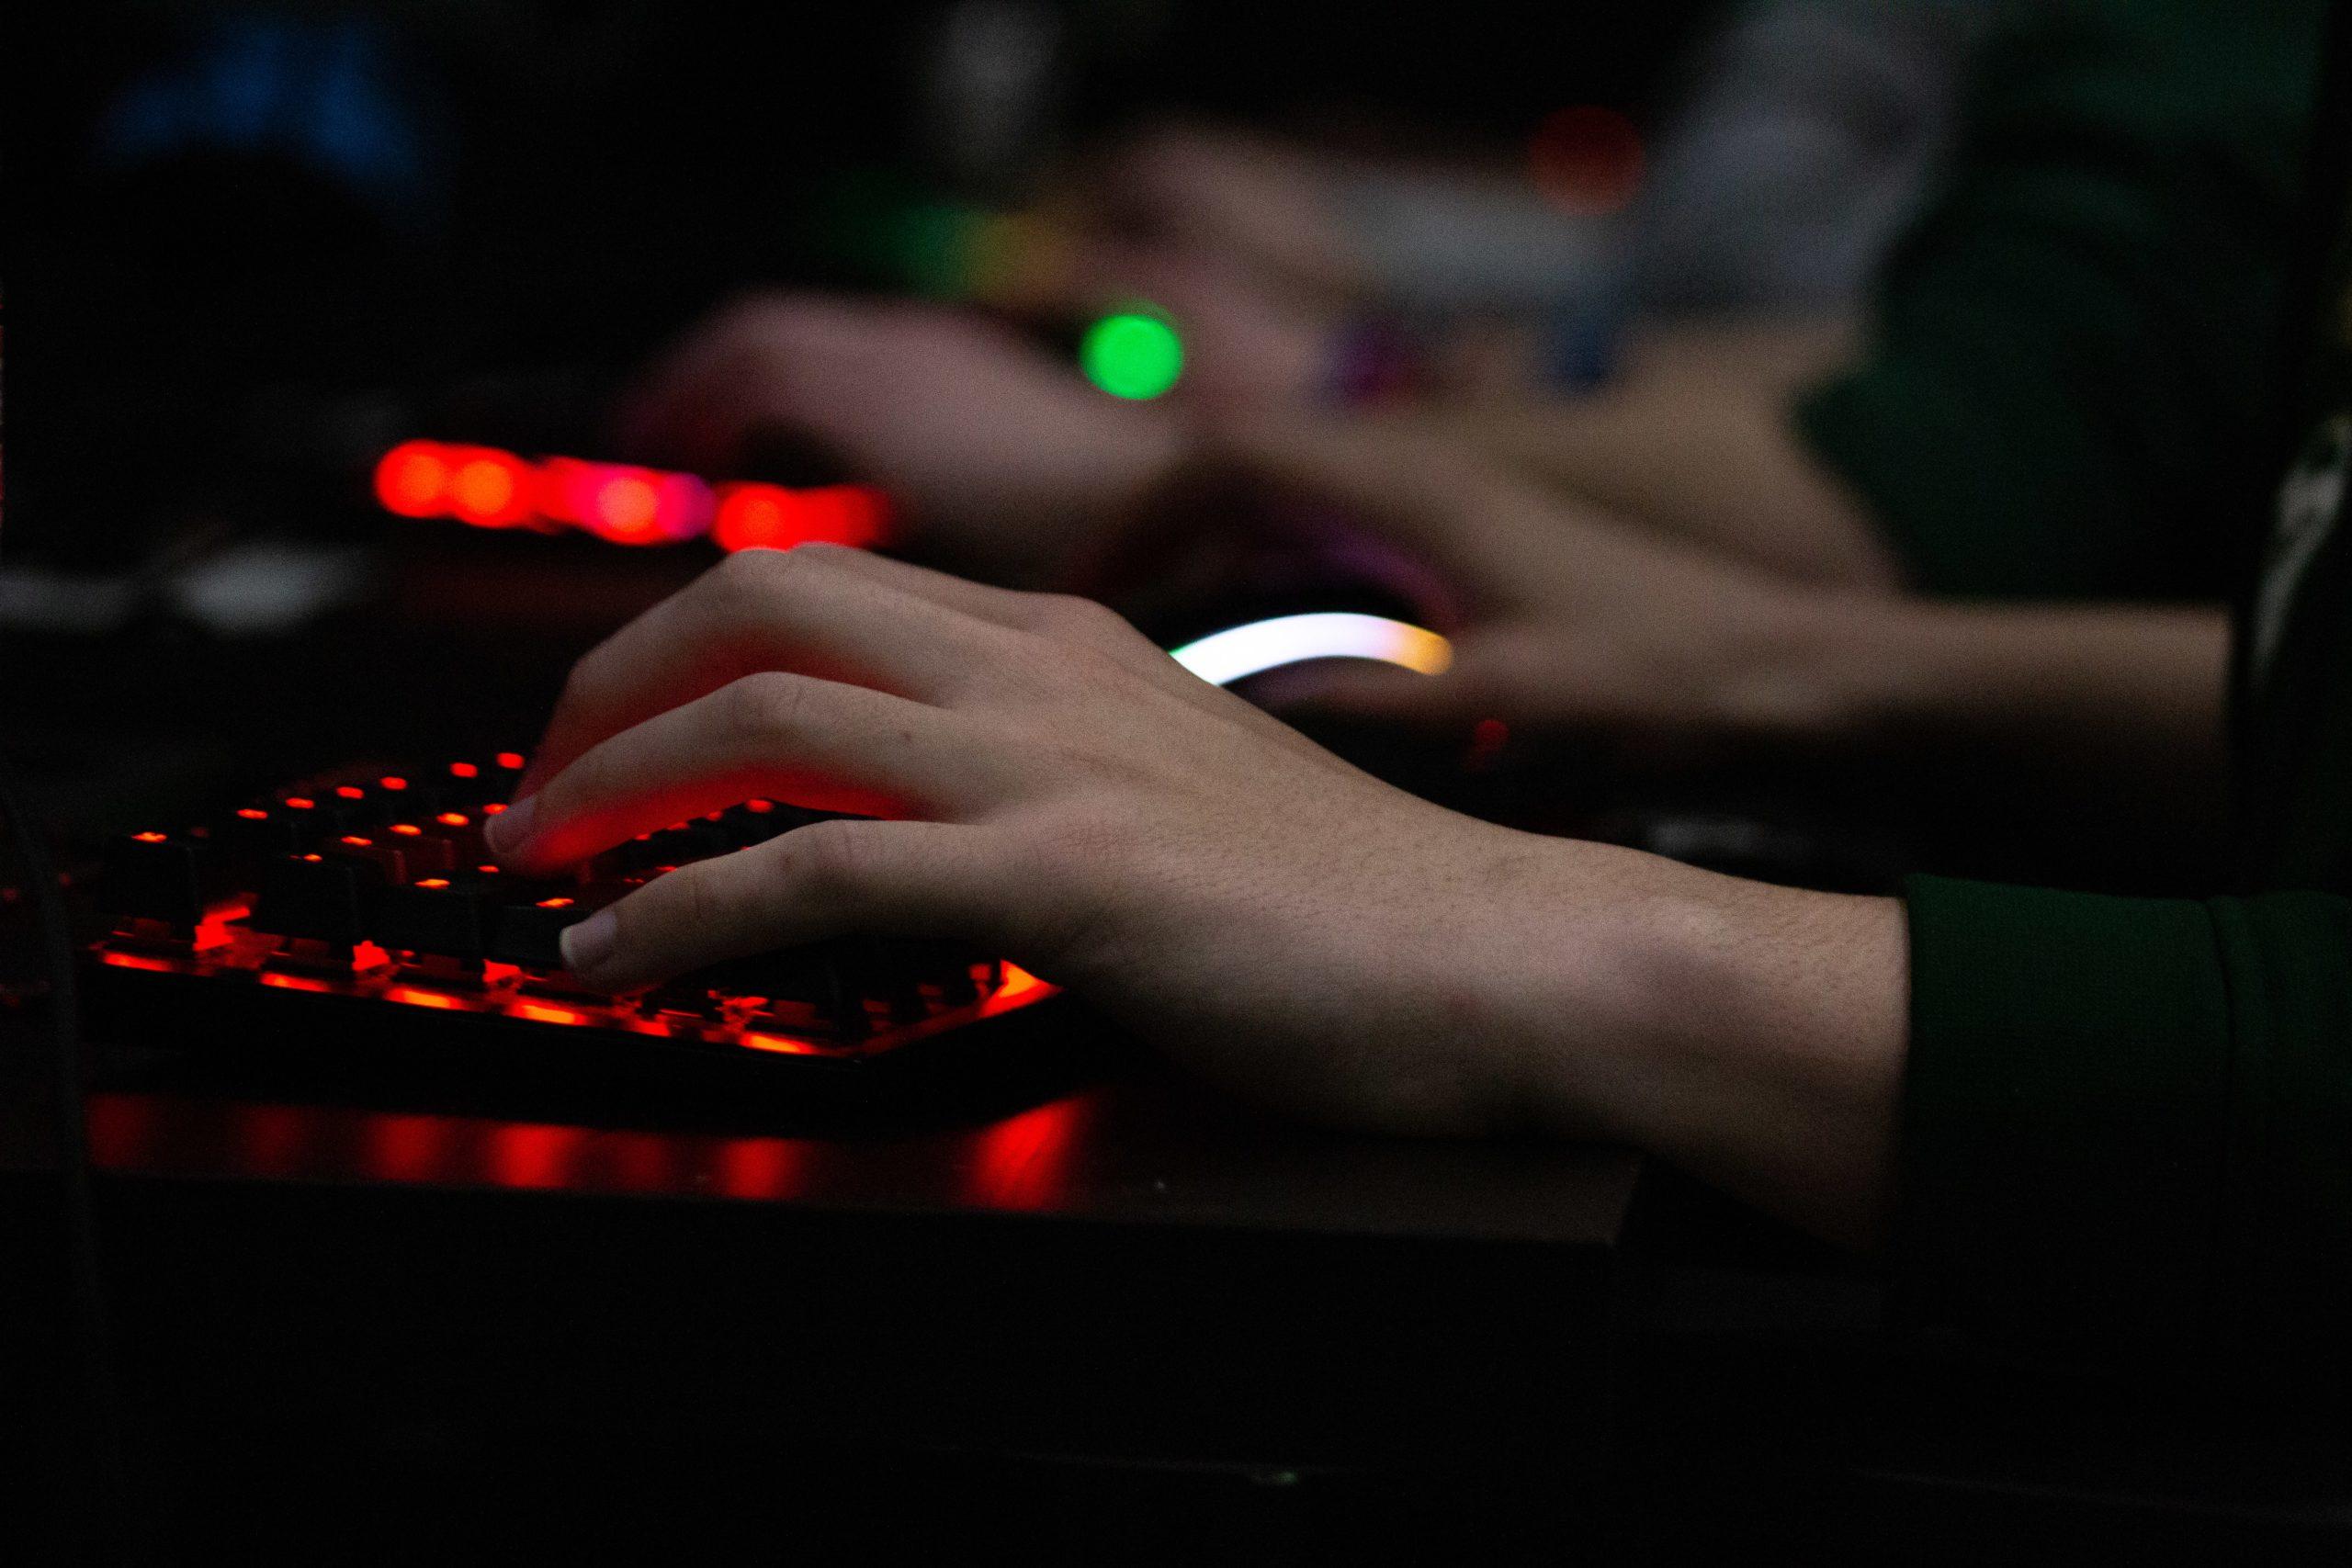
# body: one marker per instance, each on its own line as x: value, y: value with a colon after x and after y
x: 1572, y: 622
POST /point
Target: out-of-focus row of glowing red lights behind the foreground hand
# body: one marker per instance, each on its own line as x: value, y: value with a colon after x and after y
x: 622, y: 504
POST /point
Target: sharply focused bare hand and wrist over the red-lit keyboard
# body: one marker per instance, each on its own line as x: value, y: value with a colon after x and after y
x: 1067, y: 796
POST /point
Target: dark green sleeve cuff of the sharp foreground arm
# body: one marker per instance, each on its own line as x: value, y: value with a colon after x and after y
x: 2127, y: 1132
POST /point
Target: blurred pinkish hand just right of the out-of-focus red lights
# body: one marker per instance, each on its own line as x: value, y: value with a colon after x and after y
x: 996, y: 453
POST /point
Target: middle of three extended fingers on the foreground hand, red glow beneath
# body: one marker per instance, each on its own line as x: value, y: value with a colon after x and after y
x: 780, y: 737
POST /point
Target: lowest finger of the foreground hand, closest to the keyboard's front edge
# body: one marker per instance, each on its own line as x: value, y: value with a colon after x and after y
x: 801, y: 887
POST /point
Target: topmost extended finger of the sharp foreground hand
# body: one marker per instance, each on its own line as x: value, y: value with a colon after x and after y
x: 808, y: 610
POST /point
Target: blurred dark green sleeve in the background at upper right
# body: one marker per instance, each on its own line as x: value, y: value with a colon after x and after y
x: 2076, y: 363
